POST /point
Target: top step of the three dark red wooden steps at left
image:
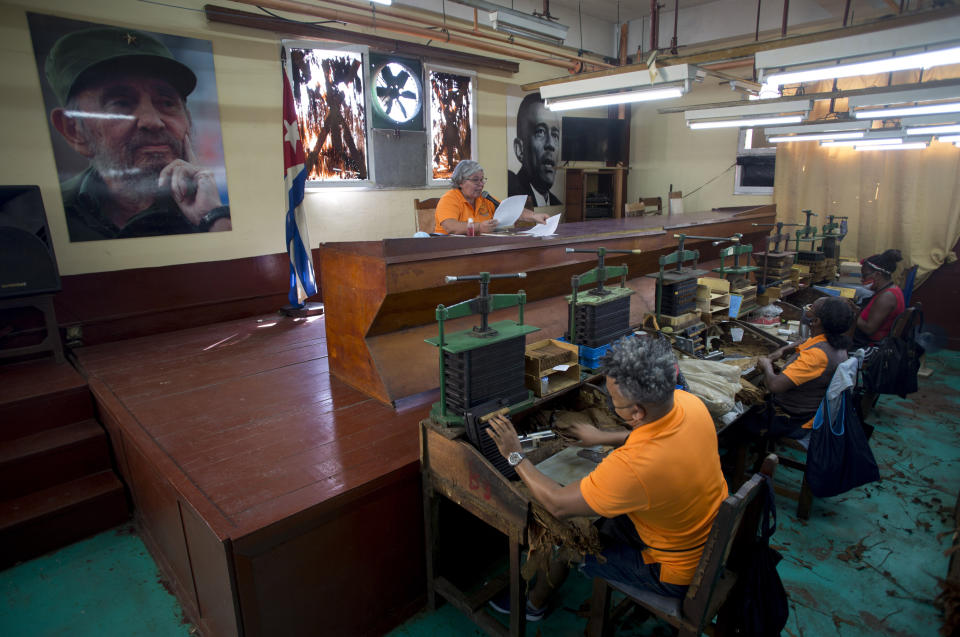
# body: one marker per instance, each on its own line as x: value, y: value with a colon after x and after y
x: 39, y: 395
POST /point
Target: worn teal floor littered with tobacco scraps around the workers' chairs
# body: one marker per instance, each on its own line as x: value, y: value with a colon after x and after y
x: 867, y: 562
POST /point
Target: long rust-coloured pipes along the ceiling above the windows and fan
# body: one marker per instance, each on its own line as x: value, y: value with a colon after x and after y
x: 572, y: 63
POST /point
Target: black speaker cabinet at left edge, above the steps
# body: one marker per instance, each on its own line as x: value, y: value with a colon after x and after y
x: 28, y: 264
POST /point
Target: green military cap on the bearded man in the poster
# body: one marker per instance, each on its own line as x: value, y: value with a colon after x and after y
x: 78, y: 55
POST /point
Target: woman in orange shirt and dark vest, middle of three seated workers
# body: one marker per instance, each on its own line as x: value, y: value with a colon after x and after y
x: 802, y: 384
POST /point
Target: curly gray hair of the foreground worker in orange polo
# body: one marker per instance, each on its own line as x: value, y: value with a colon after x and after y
x: 644, y: 368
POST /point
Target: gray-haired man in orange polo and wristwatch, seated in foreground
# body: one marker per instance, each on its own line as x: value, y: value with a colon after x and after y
x: 662, y: 485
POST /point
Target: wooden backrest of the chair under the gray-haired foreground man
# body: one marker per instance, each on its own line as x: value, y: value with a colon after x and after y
x: 734, y: 527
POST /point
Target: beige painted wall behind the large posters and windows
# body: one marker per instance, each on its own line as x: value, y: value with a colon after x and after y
x: 248, y: 87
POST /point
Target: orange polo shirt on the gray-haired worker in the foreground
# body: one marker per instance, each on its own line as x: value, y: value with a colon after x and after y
x: 666, y: 477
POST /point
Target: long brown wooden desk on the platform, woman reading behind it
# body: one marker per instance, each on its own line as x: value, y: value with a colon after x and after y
x: 381, y: 296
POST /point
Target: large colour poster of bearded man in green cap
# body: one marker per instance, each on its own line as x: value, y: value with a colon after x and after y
x: 132, y: 160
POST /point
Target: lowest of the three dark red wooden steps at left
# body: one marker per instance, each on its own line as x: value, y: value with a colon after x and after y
x: 46, y: 520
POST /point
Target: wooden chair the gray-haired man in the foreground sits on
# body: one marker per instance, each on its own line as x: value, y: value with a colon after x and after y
x: 732, y: 533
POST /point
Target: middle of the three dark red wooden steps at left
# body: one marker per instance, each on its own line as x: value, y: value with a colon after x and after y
x: 51, y: 457
